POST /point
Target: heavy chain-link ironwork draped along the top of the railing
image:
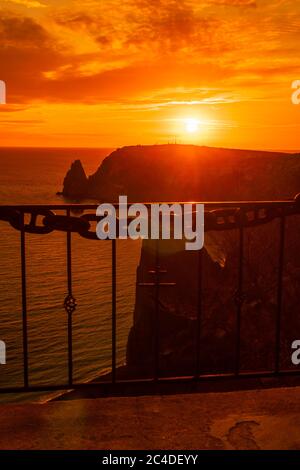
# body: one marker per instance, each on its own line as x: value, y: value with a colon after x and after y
x: 218, y: 216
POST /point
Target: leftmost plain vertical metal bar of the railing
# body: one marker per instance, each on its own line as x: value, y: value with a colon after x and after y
x: 24, y: 304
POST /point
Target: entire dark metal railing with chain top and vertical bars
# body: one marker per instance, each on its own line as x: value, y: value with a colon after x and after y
x: 219, y: 216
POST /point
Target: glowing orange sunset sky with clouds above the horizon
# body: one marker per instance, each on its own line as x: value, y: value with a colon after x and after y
x: 109, y: 73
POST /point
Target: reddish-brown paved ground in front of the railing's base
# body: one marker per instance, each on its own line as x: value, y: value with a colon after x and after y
x: 262, y: 419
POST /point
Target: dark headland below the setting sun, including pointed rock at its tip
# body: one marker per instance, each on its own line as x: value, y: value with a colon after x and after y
x: 187, y: 172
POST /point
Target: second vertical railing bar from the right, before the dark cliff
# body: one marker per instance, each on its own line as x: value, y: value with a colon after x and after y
x: 239, y: 301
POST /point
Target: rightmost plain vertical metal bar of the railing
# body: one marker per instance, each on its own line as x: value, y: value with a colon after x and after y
x: 279, y: 294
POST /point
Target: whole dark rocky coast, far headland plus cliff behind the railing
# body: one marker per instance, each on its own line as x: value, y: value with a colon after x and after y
x: 184, y: 173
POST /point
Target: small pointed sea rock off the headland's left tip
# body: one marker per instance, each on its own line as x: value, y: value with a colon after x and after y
x: 75, y: 182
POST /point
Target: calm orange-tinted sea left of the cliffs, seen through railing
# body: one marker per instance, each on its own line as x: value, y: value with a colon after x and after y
x: 29, y: 176
